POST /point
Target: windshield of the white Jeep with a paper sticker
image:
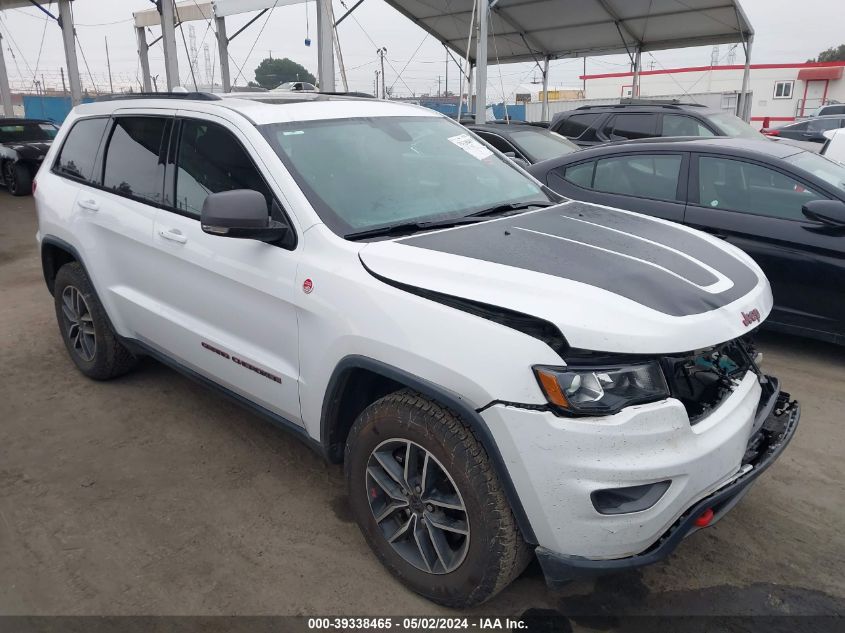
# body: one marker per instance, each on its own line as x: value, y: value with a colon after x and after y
x: 367, y: 173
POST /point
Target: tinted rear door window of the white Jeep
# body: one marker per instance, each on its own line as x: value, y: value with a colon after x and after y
x: 135, y: 157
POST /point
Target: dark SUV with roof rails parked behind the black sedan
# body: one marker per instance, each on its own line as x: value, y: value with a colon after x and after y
x: 636, y: 119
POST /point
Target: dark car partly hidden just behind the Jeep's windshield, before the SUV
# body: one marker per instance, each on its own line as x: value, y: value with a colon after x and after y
x: 524, y: 141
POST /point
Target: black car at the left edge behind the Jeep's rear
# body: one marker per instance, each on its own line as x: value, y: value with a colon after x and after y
x: 23, y: 144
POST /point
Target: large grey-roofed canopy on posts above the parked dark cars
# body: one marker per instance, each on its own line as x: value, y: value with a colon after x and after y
x: 541, y: 30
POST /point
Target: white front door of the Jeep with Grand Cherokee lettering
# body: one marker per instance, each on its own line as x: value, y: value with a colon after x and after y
x: 228, y: 305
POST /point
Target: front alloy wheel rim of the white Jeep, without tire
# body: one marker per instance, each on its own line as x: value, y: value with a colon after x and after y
x: 417, y: 506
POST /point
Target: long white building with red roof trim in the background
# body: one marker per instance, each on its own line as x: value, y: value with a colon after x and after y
x: 780, y: 92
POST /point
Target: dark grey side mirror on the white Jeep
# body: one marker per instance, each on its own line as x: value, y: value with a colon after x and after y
x: 240, y: 213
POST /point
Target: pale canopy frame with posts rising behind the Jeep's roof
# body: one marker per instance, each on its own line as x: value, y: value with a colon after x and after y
x: 173, y: 14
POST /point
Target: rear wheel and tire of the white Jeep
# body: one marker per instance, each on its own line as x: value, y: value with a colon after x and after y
x: 85, y: 329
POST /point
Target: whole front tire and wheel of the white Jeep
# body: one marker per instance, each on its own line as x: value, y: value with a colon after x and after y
x: 429, y: 503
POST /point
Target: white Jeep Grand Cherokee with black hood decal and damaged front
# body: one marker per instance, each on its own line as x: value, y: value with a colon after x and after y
x: 503, y: 373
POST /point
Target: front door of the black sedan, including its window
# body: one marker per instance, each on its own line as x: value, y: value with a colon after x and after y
x: 757, y: 208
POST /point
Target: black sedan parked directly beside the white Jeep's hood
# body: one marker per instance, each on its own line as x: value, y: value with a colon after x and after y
x: 782, y: 205
